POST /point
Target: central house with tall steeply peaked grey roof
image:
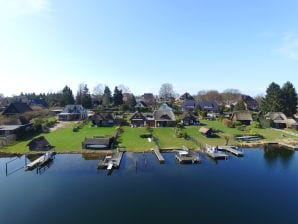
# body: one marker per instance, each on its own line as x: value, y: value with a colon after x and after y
x: 164, y: 116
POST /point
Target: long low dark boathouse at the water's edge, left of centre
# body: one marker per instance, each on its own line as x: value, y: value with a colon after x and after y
x: 98, y: 143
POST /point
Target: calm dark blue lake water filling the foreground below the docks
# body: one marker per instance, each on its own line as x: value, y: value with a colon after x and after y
x: 258, y: 188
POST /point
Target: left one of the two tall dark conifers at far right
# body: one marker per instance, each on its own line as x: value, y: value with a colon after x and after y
x: 272, y: 102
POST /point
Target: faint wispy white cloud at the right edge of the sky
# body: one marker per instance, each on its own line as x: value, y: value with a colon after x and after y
x: 289, y: 48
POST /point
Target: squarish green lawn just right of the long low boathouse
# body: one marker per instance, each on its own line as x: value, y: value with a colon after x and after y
x: 130, y: 140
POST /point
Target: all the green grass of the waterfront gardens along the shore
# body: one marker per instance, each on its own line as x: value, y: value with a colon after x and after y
x: 65, y: 140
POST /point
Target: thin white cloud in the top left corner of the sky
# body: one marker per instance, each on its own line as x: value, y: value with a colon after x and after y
x: 16, y: 8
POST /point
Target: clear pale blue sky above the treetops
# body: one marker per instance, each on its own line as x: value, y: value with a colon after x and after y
x: 193, y: 44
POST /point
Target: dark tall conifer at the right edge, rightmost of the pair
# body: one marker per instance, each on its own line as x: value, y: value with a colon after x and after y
x: 289, y: 99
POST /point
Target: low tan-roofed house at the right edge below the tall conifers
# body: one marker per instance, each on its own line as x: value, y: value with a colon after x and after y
x: 280, y: 120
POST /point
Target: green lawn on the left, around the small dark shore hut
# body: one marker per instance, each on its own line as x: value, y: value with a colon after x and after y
x: 64, y: 139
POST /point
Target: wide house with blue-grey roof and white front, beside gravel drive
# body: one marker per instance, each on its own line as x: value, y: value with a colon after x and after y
x: 73, y: 113
